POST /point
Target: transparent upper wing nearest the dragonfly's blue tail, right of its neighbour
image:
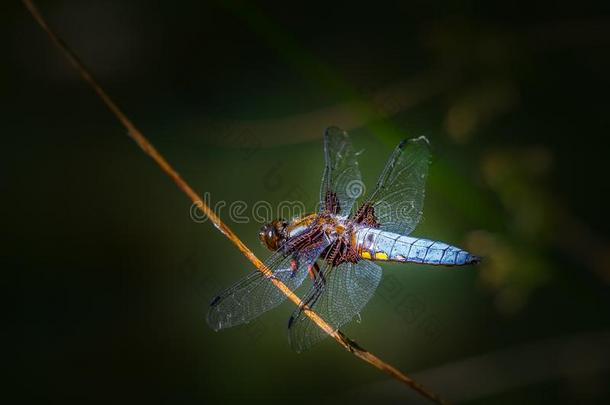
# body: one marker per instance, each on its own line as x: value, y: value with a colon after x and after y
x: 398, y: 199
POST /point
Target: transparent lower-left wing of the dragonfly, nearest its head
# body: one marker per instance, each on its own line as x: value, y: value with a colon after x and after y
x: 256, y: 294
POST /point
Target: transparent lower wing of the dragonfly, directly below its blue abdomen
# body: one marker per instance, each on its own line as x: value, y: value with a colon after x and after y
x: 341, y: 294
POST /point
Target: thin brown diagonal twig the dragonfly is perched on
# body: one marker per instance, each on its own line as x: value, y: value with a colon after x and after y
x: 150, y: 150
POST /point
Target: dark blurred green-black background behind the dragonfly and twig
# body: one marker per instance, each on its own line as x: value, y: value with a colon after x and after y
x: 107, y: 278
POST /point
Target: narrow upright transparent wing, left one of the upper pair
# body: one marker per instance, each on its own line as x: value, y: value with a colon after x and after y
x: 341, y: 173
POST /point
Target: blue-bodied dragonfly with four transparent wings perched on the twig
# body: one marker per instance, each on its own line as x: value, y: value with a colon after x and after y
x: 338, y: 246
